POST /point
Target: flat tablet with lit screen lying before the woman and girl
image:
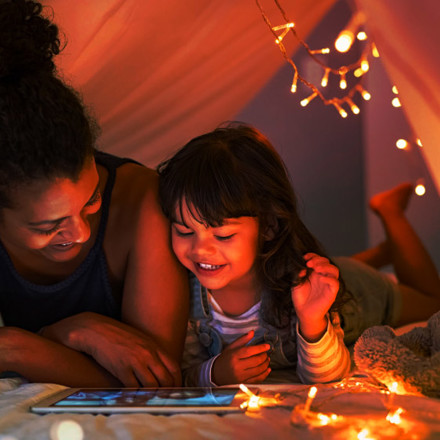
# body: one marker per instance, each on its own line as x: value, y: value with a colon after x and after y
x: 147, y: 400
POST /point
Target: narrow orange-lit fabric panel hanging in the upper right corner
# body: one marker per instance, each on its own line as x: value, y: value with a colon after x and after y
x: 407, y: 34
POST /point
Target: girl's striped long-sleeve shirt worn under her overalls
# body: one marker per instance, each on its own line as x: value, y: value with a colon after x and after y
x: 323, y: 361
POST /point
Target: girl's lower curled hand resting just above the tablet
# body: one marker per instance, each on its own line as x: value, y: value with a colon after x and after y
x: 239, y: 363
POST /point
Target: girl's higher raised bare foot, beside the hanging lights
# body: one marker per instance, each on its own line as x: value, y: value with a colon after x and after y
x: 393, y: 201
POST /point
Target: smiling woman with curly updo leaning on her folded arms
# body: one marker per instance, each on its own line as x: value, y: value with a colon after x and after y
x: 82, y: 238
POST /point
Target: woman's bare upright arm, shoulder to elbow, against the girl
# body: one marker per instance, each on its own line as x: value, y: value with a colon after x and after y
x: 156, y: 291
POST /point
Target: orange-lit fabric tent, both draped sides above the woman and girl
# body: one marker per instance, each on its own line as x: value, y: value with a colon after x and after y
x: 158, y: 73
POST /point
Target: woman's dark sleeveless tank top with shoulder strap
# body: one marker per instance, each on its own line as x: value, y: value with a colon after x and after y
x: 32, y: 306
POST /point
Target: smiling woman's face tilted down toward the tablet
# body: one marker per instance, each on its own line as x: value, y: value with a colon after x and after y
x: 52, y: 218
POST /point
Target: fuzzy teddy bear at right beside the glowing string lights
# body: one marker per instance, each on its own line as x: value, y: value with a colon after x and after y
x: 411, y: 359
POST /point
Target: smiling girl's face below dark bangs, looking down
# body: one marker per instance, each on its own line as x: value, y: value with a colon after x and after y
x: 221, y: 257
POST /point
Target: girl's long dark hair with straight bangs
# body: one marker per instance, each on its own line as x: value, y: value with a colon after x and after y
x: 234, y: 171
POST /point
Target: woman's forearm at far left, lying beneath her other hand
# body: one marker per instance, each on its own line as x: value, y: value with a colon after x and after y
x: 41, y: 360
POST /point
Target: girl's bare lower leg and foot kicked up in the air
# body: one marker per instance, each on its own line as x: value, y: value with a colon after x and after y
x: 412, y: 264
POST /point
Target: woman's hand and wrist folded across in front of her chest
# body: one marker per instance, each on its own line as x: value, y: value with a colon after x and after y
x: 125, y: 352
